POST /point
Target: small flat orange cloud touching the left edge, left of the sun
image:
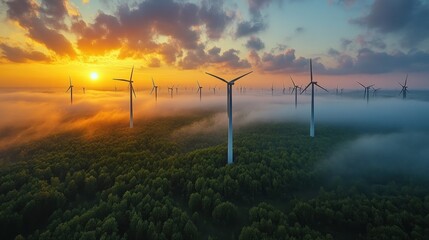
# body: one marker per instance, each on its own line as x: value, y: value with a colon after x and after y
x: 18, y: 55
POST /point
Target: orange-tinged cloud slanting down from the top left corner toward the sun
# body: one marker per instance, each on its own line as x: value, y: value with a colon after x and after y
x: 36, y: 20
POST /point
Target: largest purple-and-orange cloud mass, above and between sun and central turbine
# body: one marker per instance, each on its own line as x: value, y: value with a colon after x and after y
x: 170, y: 29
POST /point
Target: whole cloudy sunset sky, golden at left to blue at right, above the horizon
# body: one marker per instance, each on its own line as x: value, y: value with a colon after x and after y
x: 44, y: 42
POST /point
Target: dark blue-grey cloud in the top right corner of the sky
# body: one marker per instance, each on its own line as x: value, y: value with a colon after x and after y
x: 408, y: 18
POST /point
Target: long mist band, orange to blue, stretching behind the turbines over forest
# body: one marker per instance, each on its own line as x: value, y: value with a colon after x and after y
x: 29, y: 115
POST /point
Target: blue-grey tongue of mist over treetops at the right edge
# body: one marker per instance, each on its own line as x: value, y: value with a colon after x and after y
x: 402, y: 154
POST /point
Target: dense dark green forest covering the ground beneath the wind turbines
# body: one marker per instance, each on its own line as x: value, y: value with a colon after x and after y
x: 156, y: 182
